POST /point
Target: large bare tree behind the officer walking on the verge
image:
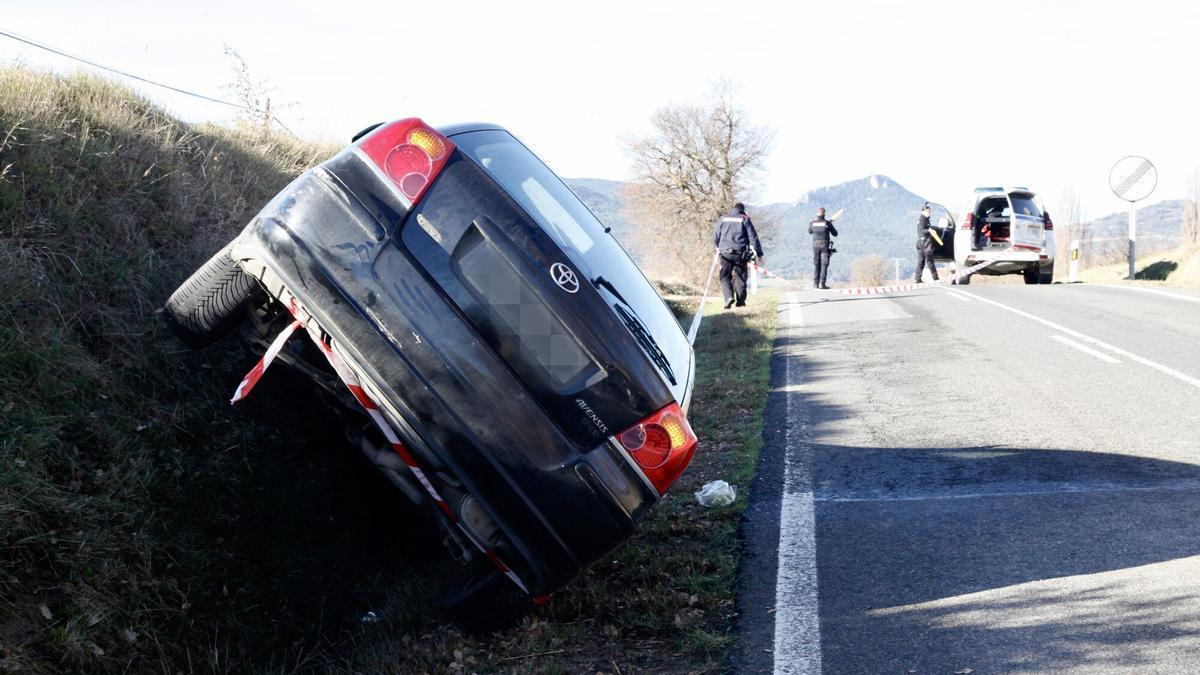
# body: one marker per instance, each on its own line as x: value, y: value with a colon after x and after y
x: 700, y: 159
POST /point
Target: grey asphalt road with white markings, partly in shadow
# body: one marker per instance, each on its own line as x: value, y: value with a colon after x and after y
x: 980, y: 480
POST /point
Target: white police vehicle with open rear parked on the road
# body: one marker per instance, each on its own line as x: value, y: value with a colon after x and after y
x: 1007, y: 225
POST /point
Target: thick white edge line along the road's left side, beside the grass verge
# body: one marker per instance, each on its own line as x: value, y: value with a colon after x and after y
x: 797, y: 623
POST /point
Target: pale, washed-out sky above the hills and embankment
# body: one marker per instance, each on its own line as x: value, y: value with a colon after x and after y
x: 940, y: 97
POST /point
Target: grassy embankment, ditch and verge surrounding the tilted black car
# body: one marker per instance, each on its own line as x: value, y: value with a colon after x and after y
x: 147, y: 527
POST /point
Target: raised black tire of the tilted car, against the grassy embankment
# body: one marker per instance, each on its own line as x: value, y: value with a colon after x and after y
x: 207, y: 307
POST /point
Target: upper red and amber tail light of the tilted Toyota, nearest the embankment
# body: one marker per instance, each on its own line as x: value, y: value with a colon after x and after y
x: 410, y: 153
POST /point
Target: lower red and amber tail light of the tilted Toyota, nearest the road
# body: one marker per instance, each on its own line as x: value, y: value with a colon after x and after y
x: 662, y: 445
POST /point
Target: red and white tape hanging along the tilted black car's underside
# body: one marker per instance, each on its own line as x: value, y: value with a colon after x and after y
x: 303, y: 319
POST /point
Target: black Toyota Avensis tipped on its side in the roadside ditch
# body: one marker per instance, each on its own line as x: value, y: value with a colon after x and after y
x: 481, y: 334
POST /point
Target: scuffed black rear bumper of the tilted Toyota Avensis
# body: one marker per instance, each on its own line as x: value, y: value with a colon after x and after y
x: 469, y: 420
